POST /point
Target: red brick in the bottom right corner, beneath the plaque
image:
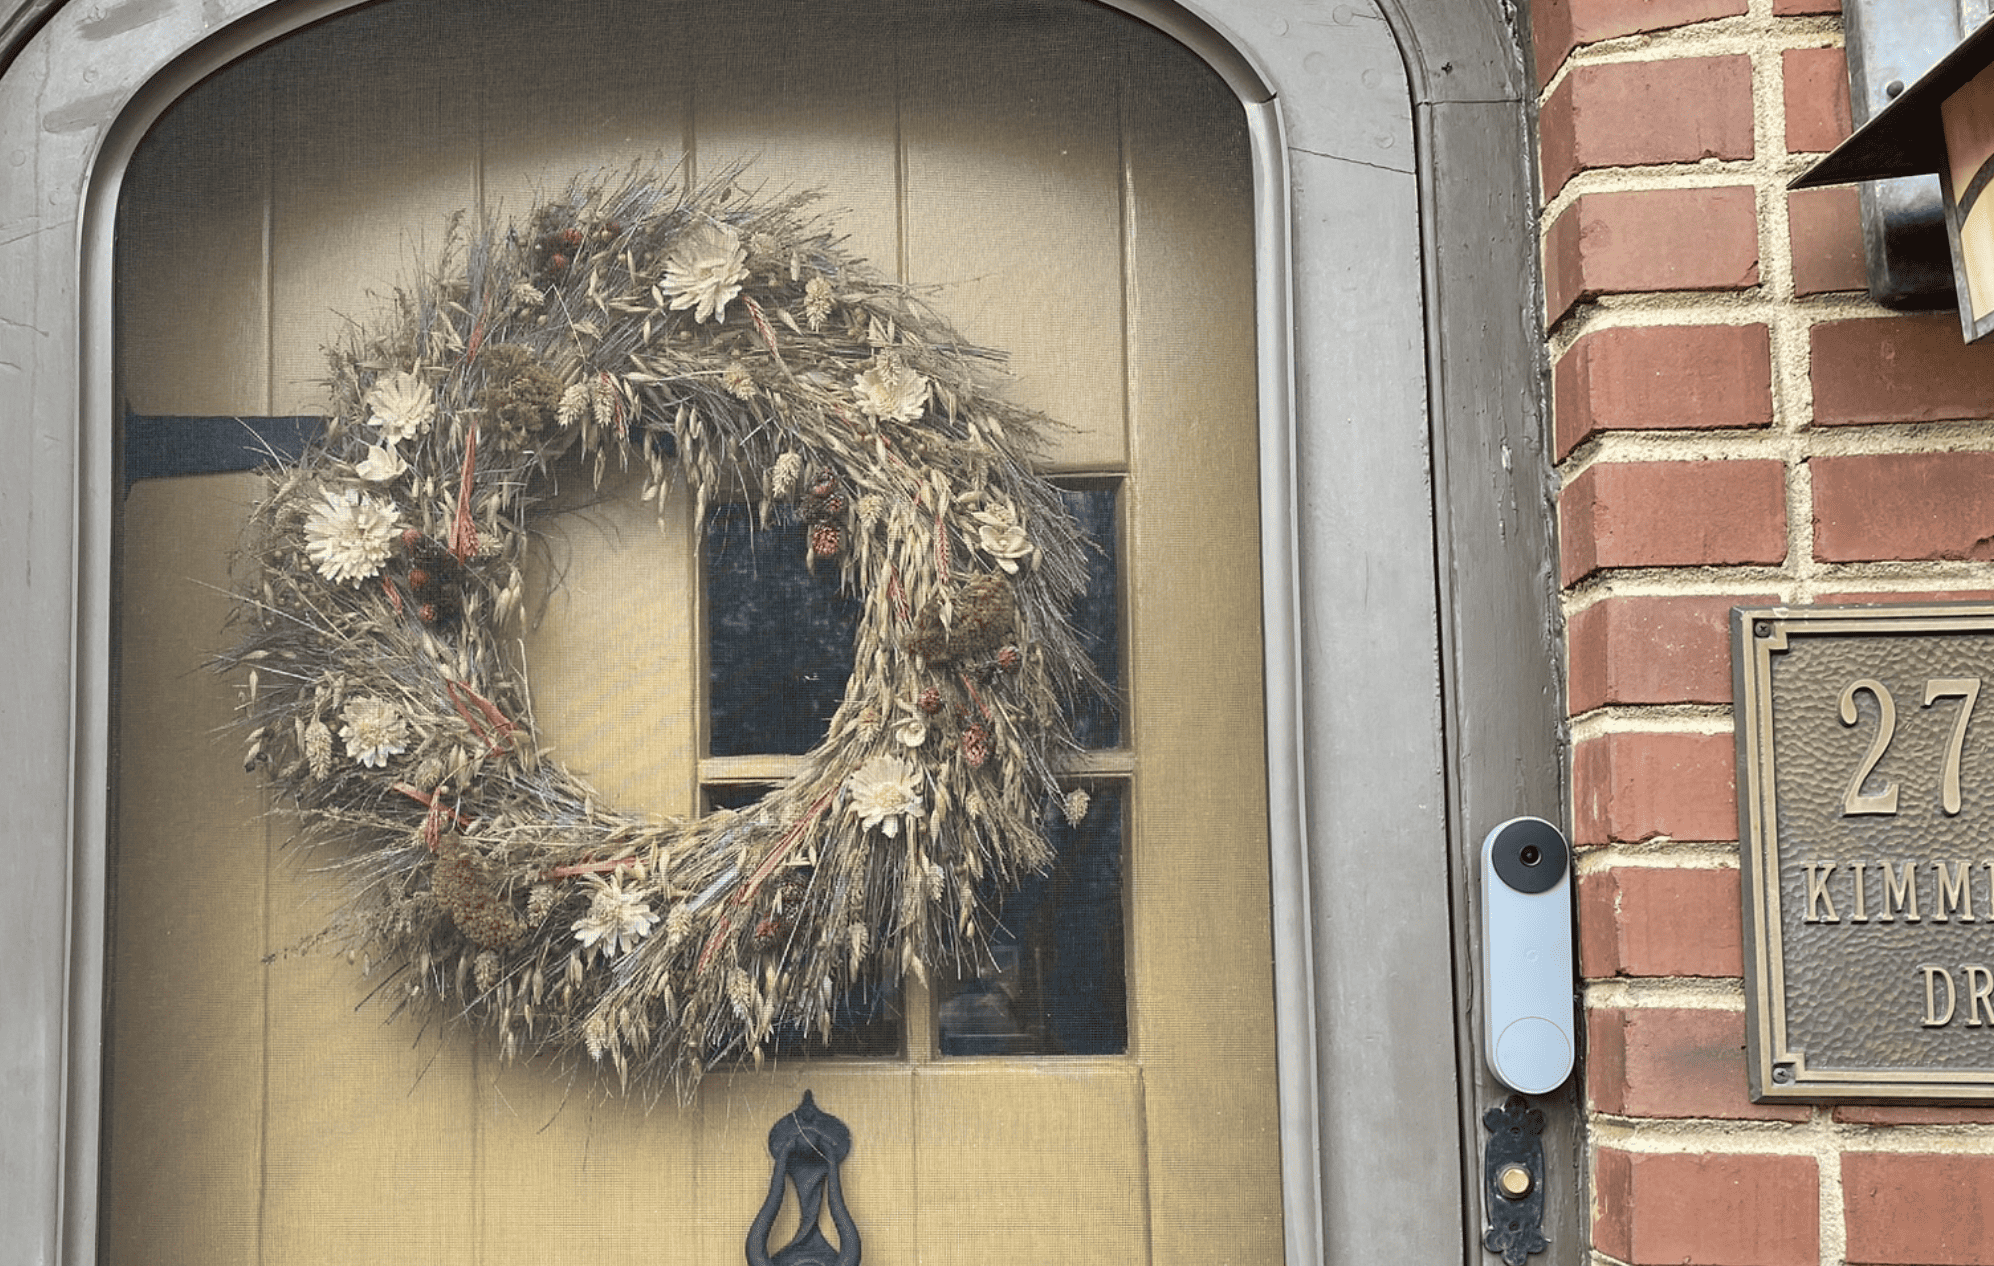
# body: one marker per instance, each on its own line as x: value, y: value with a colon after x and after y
x: 1925, y: 1211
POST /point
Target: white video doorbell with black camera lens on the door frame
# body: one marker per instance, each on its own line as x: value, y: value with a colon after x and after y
x: 1526, y: 956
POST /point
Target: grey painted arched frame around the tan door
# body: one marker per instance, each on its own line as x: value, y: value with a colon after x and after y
x: 1413, y: 653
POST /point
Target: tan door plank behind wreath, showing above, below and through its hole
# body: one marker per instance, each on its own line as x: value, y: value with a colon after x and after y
x: 613, y: 653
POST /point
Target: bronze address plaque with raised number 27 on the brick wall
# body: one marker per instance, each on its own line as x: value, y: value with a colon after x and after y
x: 1867, y: 824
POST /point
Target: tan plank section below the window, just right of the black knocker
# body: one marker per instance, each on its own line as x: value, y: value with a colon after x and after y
x: 1030, y: 1163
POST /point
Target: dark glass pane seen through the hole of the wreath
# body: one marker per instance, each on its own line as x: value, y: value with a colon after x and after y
x: 779, y: 637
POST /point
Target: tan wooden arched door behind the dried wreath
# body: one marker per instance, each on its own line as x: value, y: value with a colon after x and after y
x: 1080, y: 190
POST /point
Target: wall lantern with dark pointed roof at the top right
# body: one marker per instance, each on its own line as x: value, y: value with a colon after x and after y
x: 1945, y: 125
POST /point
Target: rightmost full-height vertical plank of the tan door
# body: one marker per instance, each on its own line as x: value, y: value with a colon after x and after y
x: 1203, y: 958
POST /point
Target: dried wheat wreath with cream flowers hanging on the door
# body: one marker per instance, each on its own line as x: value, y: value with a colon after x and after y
x: 731, y: 344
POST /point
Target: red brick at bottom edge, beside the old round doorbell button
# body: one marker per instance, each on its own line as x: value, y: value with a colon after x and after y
x: 1708, y: 1209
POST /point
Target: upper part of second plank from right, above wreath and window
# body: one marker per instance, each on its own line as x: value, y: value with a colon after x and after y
x: 1014, y: 202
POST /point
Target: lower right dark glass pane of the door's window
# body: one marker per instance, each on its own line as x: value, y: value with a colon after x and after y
x: 1056, y: 982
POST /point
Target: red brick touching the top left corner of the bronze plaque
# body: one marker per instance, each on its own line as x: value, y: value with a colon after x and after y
x: 1652, y: 651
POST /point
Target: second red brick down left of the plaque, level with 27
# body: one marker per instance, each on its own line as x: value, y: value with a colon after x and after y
x: 1638, y: 787
